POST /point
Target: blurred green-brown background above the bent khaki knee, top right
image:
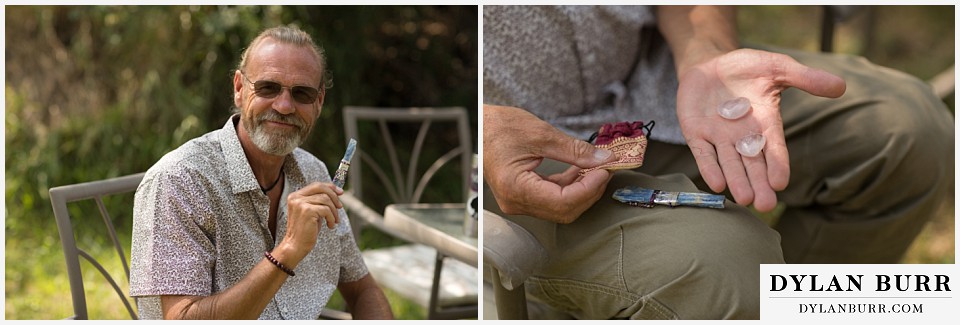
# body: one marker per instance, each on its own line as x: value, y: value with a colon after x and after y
x: 918, y: 40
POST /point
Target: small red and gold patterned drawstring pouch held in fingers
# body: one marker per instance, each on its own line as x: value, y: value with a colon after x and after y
x: 627, y: 140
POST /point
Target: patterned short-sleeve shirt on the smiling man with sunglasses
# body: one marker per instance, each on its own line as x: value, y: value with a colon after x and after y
x: 201, y: 224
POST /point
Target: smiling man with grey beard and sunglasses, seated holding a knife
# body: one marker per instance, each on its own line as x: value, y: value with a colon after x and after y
x: 240, y: 222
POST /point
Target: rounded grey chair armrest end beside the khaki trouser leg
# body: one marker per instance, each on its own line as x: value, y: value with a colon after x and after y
x: 512, y: 250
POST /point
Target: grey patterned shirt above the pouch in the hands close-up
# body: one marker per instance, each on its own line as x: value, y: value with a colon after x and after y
x: 579, y: 67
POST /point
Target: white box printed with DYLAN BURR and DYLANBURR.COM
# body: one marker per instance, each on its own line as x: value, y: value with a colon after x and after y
x: 859, y: 292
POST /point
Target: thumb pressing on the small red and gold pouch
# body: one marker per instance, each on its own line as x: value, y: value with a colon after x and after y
x: 564, y: 148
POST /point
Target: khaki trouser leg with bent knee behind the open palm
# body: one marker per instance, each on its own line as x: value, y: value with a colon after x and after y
x: 867, y: 169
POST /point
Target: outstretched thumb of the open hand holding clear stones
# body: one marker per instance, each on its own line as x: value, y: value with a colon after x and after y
x: 814, y: 81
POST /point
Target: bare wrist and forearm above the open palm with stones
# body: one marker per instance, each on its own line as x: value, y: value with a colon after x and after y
x: 697, y: 33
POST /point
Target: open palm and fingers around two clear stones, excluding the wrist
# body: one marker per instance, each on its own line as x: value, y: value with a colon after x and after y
x: 760, y: 77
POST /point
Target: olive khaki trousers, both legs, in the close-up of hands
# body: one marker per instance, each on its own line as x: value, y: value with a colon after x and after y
x: 867, y: 171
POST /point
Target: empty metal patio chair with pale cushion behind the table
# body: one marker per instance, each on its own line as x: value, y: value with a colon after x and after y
x: 400, y: 174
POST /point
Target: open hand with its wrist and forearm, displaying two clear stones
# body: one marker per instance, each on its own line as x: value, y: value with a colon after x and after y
x: 711, y: 70
